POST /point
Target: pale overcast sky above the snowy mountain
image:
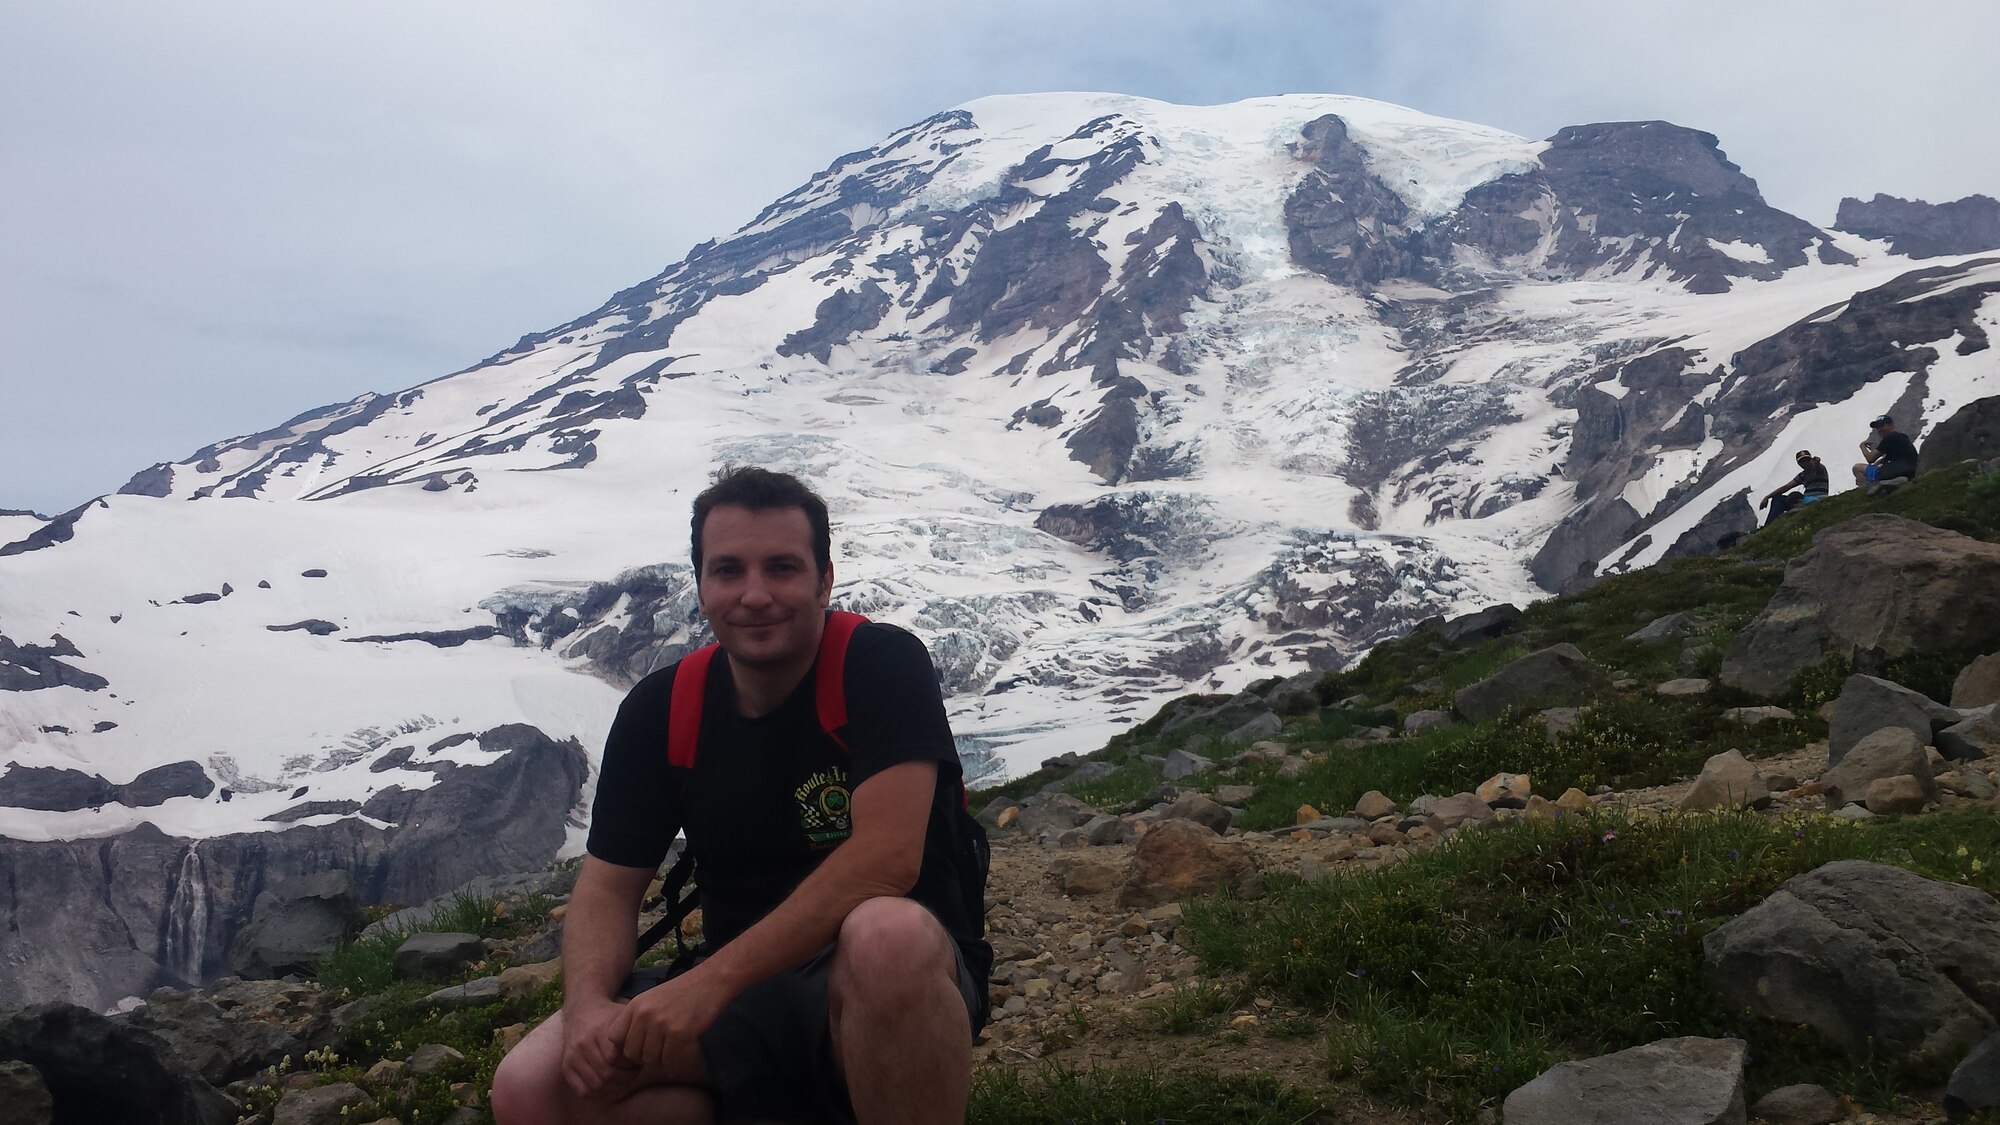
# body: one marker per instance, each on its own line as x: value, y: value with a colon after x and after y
x: 219, y: 215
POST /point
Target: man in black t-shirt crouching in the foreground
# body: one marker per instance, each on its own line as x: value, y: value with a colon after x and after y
x: 843, y: 972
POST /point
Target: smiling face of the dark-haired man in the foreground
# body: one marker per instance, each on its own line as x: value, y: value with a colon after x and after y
x: 759, y: 586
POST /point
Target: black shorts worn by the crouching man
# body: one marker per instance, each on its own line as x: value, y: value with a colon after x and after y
x: 771, y: 1054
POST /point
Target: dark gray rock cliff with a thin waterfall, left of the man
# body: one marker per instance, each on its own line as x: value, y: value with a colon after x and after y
x: 111, y: 918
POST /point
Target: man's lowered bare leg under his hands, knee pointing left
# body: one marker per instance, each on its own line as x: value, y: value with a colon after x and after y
x: 529, y: 1090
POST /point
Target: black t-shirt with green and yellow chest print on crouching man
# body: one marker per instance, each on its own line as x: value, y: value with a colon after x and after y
x: 769, y: 798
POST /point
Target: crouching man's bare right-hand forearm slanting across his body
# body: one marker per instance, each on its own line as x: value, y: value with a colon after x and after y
x: 879, y: 860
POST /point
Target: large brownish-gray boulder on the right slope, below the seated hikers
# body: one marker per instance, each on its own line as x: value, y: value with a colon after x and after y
x: 1877, y: 588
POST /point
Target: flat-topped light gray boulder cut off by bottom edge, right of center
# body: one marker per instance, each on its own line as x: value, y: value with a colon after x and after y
x: 1673, y: 1082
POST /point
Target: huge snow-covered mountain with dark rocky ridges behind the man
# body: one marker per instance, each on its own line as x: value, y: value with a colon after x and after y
x: 1113, y: 399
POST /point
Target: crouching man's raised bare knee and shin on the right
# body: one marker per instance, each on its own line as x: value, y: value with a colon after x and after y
x: 897, y: 1016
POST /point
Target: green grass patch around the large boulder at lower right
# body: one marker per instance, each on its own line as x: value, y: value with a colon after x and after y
x: 1471, y: 968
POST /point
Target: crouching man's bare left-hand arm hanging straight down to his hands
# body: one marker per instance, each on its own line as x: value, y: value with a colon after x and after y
x: 599, y: 942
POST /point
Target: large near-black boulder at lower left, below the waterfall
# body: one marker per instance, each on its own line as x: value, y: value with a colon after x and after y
x: 101, y: 1070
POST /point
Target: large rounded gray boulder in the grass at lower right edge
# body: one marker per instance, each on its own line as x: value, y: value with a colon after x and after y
x: 1869, y: 956
